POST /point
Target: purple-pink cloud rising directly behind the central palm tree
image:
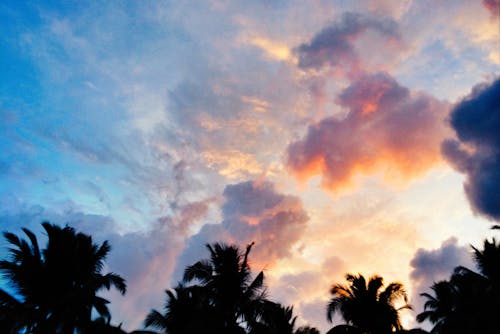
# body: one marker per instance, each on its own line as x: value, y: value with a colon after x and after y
x: 254, y: 211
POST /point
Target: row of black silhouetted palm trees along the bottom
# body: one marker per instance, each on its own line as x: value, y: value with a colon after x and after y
x: 55, y: 289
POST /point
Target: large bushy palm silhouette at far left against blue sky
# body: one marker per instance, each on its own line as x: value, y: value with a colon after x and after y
x: 57, y: 286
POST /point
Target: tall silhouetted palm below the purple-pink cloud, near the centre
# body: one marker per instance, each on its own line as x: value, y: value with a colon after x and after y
x: 227, y: 279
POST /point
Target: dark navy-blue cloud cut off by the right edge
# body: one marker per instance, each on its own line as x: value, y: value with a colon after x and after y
x: 476, y: 151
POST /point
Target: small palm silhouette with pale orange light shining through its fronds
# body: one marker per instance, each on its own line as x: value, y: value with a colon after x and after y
x: 364, y: 306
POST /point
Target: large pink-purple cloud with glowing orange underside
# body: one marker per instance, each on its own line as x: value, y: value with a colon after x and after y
x: 387, y: 129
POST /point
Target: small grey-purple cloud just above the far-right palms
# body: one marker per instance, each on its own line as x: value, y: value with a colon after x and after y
x: 429, y: 266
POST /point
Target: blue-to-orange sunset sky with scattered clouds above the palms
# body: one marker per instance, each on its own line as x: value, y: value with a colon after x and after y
x: 339, y: 136
